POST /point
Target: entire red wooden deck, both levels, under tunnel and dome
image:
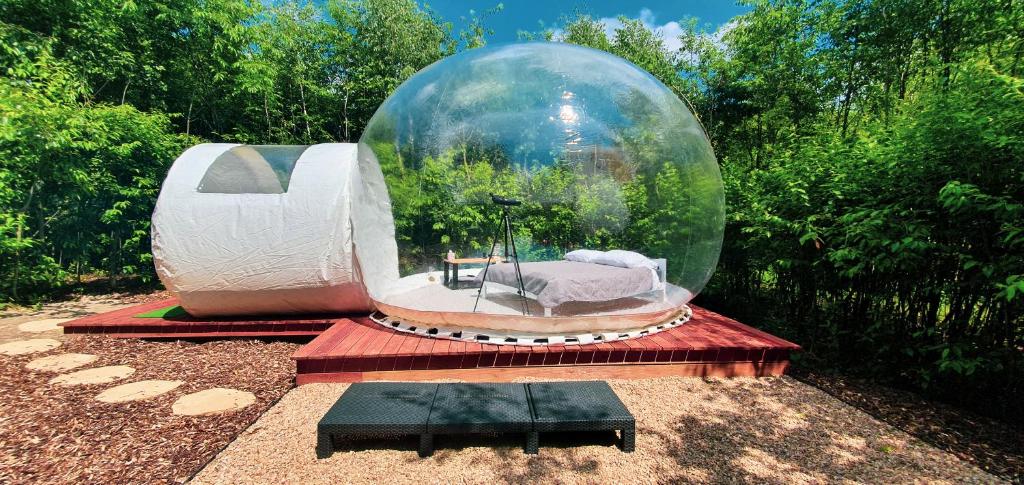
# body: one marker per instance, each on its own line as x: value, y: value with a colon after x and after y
x: 353, y: 349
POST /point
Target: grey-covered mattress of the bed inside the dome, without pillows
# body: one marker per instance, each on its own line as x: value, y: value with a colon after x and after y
x: 556, y: 283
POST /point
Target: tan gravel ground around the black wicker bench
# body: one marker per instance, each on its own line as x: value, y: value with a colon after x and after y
x: 689, y: 430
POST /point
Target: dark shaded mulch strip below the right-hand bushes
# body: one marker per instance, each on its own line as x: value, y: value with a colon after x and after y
x: 990, y: 445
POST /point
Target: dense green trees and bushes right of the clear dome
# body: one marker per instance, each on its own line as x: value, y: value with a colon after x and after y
x: 874, y: 173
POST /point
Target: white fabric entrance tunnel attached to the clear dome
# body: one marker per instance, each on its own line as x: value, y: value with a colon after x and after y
x: 242, y: 231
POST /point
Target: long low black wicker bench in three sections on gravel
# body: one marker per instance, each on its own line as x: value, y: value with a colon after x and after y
x: 429, y: 410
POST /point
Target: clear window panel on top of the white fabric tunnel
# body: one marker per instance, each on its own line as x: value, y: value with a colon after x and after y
x: 252, y: 169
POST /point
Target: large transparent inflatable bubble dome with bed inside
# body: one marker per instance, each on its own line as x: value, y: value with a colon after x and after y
x: 539, y: 189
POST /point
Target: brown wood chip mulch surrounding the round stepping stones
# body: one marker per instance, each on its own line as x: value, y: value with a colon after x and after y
x: 53, y: 434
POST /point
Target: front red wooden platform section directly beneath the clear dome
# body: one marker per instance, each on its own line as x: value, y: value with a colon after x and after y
x: 710, y: 344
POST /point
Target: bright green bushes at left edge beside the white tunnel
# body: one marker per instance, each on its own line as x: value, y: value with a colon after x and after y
x: 76, y: 182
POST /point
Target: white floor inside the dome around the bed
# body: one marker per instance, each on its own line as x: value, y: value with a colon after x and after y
x: 425, y: 292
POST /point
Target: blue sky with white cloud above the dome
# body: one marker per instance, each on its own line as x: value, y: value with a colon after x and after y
x: 533, y: 16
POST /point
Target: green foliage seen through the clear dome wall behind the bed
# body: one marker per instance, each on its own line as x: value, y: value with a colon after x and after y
x: 446, y: 205
